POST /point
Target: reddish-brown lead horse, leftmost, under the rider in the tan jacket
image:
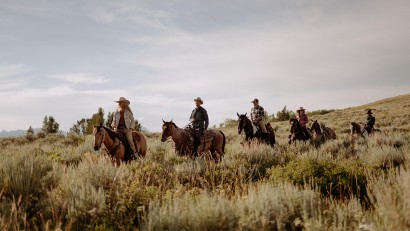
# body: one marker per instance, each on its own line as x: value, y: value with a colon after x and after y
x: 114, y: 143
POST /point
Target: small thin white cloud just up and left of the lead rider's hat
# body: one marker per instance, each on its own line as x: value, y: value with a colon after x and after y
x: 81, y: 78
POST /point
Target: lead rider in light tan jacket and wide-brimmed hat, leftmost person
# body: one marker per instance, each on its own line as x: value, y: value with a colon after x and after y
x: 124, y: 122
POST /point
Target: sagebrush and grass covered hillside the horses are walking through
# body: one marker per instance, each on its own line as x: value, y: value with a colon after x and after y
x: 60, y: 182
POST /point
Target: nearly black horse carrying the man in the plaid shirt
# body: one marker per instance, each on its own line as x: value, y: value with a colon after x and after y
x: 252, y: 132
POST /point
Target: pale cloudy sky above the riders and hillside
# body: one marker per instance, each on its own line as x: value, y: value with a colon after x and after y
x: 66, y: 59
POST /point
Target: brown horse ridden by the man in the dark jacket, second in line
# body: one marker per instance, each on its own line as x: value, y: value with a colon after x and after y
x: 213, y: 140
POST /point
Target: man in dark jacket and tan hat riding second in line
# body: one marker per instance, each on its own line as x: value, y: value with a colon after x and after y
x: 199, y: 120
